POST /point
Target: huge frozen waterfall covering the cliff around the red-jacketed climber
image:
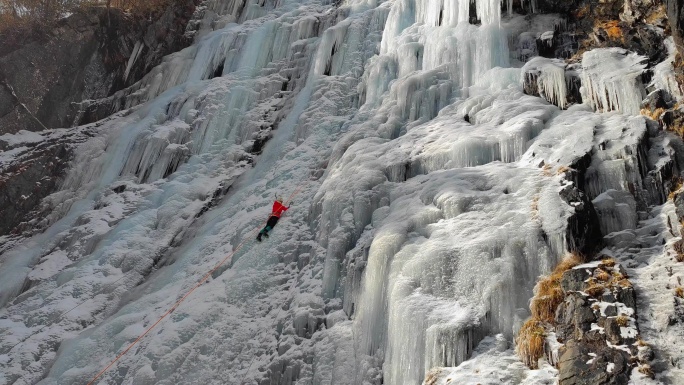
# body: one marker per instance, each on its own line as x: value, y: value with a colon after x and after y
x: 422, y: 221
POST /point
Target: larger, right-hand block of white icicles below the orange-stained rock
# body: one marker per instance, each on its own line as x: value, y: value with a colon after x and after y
x: 611, y: 80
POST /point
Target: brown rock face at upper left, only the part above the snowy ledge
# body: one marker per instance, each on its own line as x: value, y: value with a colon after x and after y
x: 89, y: 55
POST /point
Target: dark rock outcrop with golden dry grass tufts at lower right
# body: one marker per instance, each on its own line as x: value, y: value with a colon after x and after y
x: 597, y: 324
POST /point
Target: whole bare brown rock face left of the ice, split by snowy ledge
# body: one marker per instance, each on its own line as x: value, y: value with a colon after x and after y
x: 43, y: 82
